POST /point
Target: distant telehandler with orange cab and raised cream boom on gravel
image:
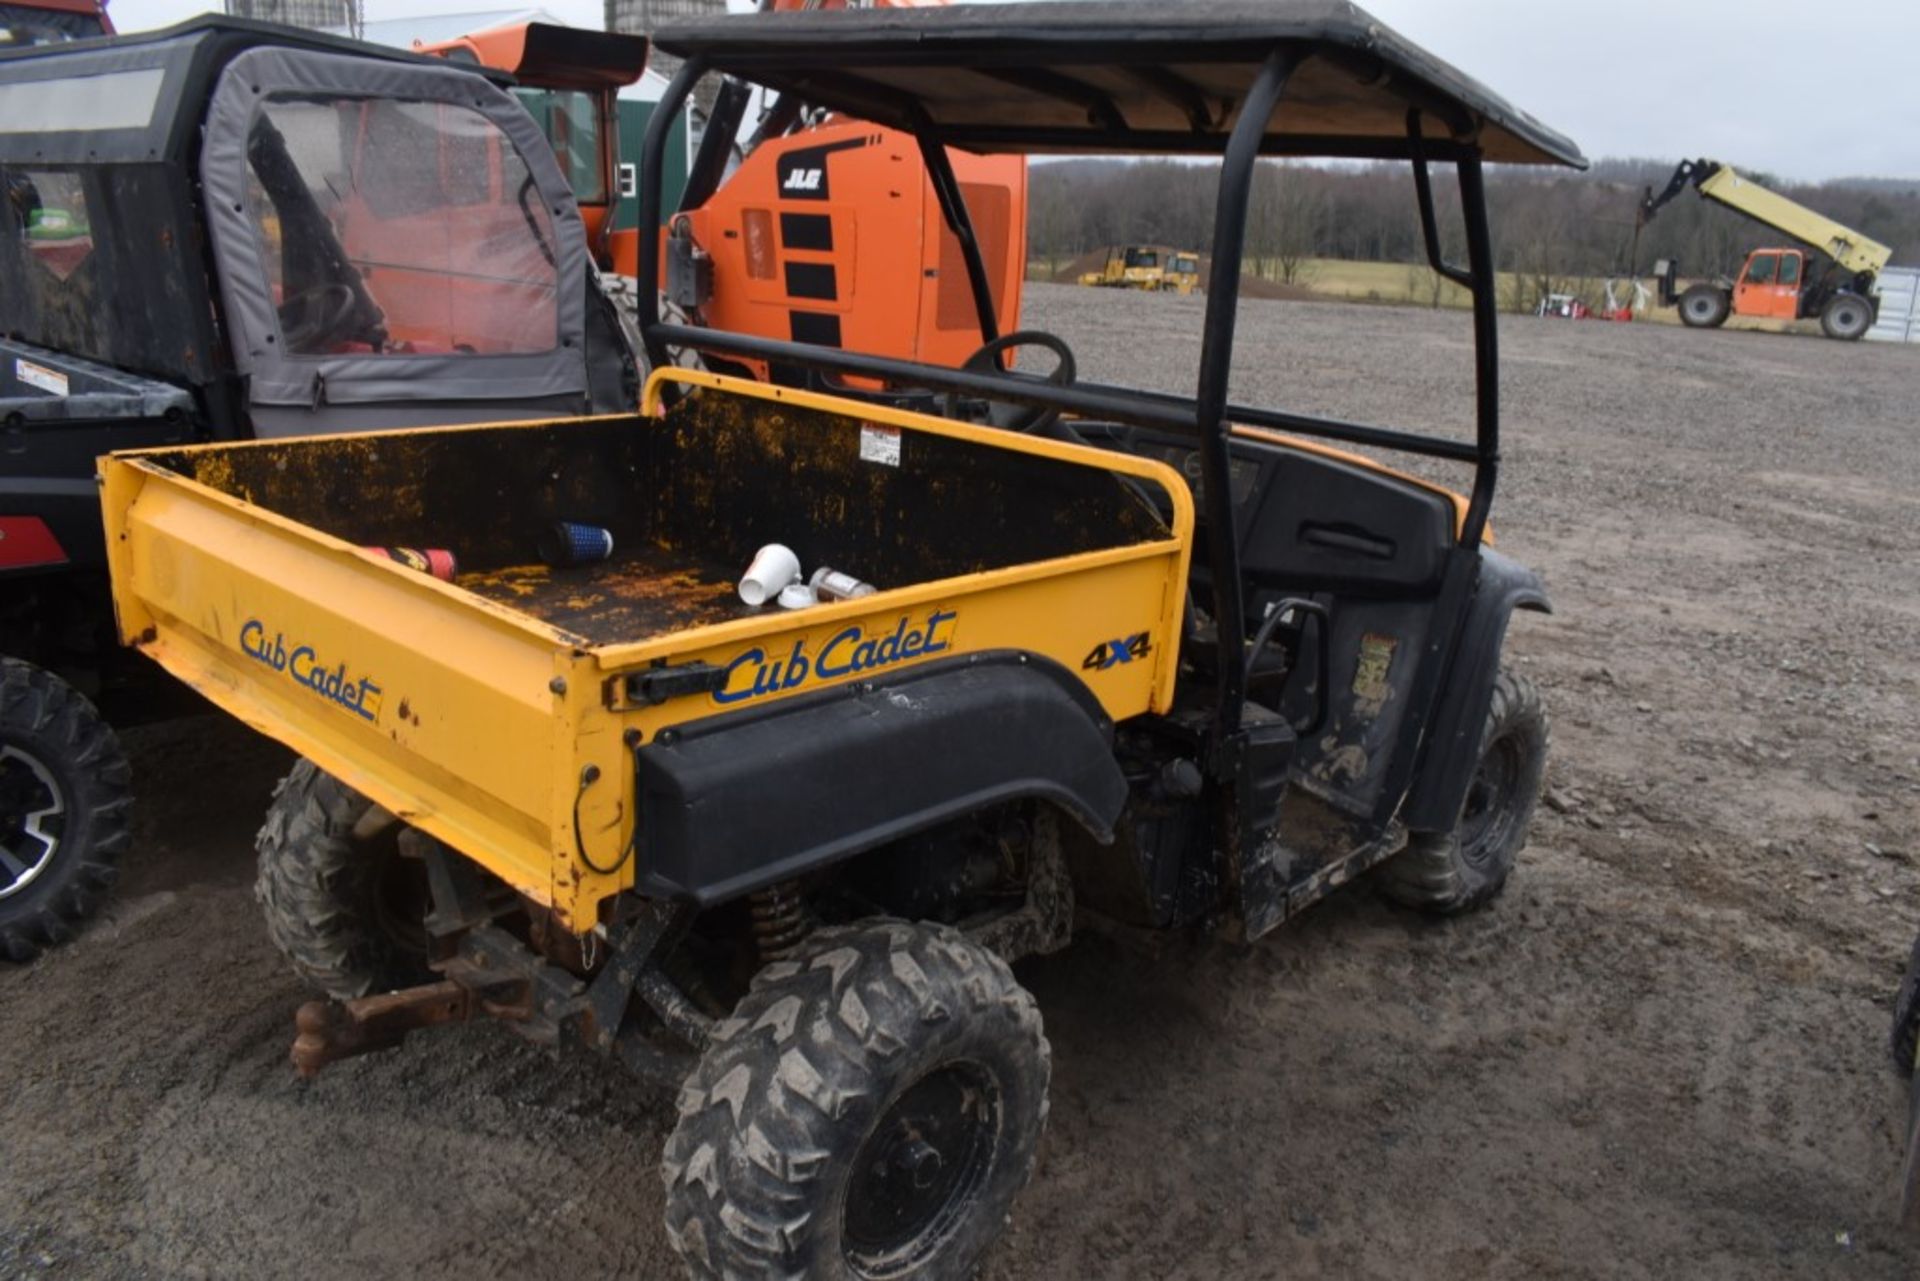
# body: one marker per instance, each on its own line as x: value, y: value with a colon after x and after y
x: 1835, y: 279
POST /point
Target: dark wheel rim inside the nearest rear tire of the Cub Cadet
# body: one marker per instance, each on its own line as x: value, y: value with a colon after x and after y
x: 921, y: 1171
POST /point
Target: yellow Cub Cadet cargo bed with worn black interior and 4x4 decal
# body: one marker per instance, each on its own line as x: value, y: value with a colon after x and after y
x: 502, y: 712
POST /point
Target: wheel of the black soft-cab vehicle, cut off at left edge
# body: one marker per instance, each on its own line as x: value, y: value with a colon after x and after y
x: 64, y: 804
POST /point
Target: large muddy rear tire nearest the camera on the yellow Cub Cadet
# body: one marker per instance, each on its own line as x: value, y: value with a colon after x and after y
x: 869, y: 1111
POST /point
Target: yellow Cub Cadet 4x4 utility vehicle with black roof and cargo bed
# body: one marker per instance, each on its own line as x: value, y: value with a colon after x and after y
x: 1024, y: 652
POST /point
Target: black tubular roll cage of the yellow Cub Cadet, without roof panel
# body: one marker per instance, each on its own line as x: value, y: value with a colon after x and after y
x: 1209, y: 416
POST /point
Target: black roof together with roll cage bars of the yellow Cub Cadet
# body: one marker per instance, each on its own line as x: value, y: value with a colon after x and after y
x: 1230, y: 78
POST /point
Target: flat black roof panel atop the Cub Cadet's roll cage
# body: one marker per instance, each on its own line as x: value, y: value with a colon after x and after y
x: 1120, y: 76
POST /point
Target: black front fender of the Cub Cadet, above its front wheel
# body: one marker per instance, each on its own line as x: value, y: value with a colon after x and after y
x: 1452, y: 746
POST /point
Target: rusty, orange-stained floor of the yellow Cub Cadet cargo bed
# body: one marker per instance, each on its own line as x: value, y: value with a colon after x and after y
x: 635, y: 596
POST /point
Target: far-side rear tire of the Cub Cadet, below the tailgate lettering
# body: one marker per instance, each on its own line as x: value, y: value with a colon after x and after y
x: 343, y: 904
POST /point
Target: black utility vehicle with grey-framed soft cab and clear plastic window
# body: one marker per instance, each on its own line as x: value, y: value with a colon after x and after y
x: 218, y: 231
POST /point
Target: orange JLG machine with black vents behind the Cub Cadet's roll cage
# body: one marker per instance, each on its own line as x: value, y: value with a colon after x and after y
x: 804, y: 230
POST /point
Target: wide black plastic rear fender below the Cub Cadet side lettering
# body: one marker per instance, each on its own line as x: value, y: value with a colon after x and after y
x: 746, y: 800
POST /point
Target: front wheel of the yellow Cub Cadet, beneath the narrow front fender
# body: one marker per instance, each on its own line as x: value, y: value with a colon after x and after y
x: 1454, y: 871
